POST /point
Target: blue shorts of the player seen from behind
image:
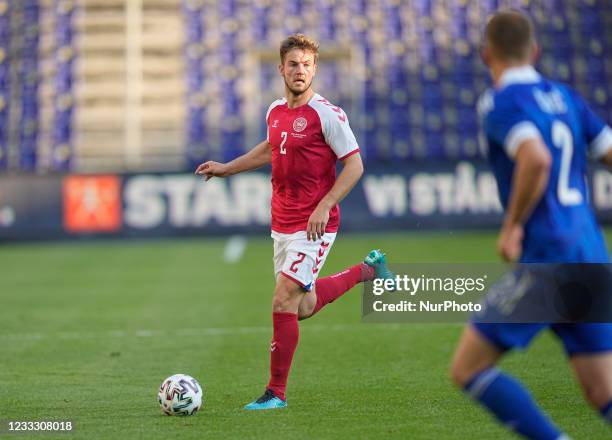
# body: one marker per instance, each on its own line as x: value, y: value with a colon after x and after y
x: 572, y: 300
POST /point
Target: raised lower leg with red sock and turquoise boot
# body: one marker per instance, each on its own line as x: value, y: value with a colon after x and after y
x: 332, y: 287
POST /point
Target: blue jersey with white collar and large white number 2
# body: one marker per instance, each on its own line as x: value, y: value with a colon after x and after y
x: 562, y: 227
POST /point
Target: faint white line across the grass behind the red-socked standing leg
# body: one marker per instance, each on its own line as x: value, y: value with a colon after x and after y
x: 210, y: 331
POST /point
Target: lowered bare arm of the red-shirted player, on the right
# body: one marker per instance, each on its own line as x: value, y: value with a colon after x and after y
x: 351, y: 172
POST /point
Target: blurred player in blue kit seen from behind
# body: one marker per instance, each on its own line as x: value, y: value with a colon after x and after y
x: 539, y: 135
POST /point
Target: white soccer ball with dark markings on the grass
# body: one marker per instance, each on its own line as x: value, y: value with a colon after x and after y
x: 180, y: 395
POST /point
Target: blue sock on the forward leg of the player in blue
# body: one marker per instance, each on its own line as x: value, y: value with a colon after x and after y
x: 512, y: 404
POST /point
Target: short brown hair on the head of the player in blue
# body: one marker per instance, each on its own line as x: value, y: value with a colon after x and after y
x: 510, y: 35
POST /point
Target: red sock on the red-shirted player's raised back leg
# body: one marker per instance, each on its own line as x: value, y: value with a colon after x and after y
x: 334, y: 286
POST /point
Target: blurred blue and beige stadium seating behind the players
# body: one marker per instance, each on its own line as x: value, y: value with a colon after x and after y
x: 195, y: 80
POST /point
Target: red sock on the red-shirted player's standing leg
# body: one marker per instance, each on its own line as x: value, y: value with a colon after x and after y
x: 284, y: 343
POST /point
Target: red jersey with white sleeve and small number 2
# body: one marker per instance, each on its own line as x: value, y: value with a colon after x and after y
x: 306, y: 143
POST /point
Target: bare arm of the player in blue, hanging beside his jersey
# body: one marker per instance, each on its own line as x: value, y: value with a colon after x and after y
x: 529, y: 181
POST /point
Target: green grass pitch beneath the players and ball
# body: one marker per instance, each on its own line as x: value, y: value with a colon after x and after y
x: 89, y: 330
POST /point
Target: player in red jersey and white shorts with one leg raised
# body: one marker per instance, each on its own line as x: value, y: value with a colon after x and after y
x: 306, y: 136
